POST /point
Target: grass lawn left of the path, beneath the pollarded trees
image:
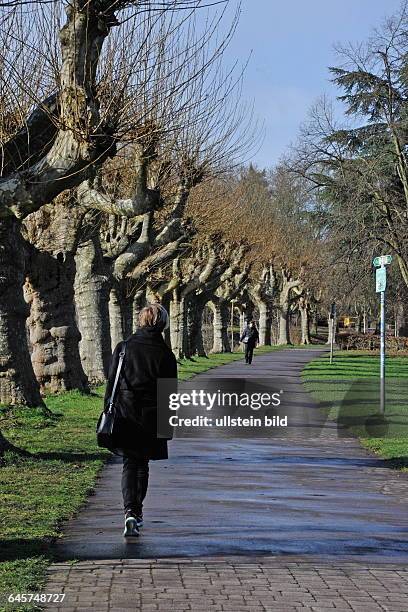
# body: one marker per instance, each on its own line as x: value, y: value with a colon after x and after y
x: 40, y: 491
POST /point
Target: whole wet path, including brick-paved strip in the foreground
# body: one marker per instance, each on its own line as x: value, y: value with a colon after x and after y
x: 241, y: 524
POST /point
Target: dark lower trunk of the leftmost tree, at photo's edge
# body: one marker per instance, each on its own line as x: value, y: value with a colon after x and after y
x: 18, y: 384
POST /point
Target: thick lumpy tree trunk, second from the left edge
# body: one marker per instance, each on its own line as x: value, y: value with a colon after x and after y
x: 53, y: 332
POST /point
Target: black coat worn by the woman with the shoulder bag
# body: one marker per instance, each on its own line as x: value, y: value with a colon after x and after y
x: 147, y: 358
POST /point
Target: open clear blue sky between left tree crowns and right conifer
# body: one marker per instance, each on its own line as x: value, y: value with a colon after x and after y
x: 292, y: 45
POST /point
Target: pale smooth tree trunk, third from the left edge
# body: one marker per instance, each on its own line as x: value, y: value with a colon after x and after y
x: 92, y: 288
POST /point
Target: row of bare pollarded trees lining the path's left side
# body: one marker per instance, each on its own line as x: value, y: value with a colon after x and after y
x: 121, y: 137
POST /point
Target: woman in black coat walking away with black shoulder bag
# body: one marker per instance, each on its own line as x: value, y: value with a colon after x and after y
x: 147, y: 358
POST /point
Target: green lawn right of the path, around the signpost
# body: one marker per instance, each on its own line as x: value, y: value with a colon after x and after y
x: 348, y: 391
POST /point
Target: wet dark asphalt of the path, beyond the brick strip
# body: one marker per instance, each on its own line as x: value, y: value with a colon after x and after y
x: 318, y: 497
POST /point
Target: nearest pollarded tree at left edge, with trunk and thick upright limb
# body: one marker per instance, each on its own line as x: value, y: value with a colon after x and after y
x: 77, y: 139
